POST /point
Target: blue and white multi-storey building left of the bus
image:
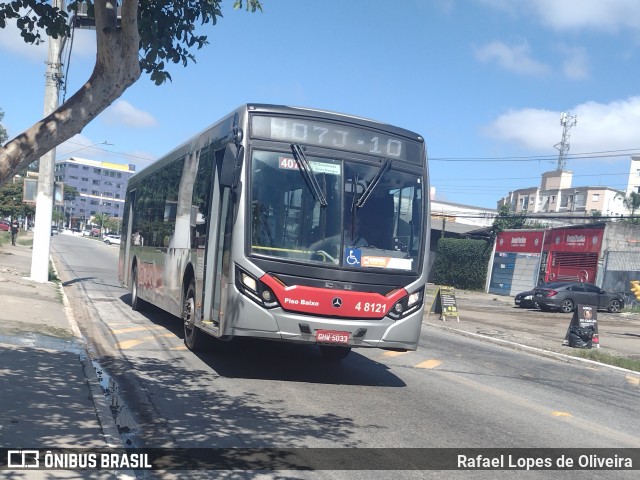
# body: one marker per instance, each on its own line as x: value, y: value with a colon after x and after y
x: 101, y: 187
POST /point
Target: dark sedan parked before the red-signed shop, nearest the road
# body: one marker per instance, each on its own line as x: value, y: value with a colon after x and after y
x: 564, y: 296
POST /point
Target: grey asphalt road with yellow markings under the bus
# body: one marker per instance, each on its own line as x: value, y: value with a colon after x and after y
x: 454, y: 392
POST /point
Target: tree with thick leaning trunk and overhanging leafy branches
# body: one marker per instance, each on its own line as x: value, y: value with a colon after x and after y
x: 147, y: 37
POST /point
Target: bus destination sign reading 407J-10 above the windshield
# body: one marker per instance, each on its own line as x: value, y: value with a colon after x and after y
x: 334, y: 135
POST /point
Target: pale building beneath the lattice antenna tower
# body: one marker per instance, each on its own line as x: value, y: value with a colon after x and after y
x: 556, y: 195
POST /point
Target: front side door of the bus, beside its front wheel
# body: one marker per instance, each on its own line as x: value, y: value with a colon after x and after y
x: 217, y: 262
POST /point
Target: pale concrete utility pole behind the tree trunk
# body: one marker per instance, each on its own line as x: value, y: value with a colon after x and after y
x: 44, y: 200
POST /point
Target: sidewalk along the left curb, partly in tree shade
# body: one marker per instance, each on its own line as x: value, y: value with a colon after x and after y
x: 50, y: 395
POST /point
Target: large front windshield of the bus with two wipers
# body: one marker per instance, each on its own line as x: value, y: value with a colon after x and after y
x: 349, y: 215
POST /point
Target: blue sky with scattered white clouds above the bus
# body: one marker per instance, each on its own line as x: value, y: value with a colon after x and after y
x: 483, y: 81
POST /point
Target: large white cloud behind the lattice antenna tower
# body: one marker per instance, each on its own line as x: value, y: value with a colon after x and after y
x: 600, y: 127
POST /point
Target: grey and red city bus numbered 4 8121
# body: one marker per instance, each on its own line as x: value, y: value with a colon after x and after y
x: 288, y: 224
